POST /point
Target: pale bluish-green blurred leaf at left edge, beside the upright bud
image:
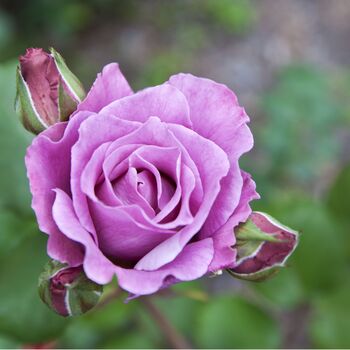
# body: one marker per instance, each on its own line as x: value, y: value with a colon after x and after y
x: 14, y: 191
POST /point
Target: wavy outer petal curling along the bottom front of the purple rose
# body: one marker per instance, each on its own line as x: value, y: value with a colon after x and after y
x: 190, y: 264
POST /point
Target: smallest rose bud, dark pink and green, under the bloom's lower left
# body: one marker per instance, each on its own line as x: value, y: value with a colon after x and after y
x: 67, y: 290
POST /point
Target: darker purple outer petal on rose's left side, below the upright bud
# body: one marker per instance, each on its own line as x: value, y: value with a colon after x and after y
x: 48, y: 166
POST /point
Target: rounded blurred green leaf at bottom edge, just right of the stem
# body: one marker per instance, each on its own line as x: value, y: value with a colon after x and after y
x: 232, y: 322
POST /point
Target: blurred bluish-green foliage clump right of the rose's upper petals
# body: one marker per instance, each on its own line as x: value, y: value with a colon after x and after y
x: 298, y: 139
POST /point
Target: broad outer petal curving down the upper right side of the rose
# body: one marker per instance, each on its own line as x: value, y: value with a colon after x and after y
x: 216, y: 115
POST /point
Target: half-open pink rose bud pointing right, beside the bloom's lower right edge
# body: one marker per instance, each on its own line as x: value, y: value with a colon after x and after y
x: 263, y: 246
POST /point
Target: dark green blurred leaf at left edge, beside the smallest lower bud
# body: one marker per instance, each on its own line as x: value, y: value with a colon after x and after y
x: 23, y: 316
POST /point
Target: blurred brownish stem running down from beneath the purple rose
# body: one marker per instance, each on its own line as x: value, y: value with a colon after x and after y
x: 175, y: 339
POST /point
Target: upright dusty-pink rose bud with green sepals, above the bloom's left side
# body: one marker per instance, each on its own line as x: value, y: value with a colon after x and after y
x: 47, y: 91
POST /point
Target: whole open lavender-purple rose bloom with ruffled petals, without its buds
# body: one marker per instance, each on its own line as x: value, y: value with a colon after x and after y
x: 144, y: 186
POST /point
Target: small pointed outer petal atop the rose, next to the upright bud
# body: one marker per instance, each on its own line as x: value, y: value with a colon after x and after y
x: 110, y: 85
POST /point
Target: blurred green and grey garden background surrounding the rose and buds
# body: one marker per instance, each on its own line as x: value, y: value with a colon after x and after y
x: 288, y: 61
